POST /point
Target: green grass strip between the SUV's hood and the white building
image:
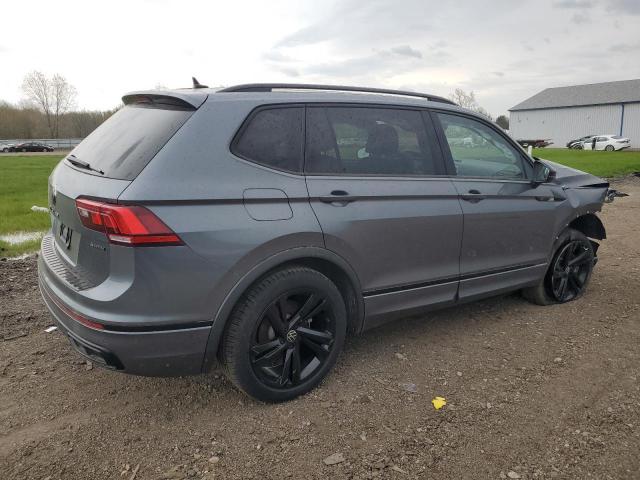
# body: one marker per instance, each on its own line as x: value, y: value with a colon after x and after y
x: 601, y: 164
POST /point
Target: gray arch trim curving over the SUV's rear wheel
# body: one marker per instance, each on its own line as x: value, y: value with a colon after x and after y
x: 325, y: 261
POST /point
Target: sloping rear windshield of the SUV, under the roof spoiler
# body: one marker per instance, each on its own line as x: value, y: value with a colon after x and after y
x: 123, y: 145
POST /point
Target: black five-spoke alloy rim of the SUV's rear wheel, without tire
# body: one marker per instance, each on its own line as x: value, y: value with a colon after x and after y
x: 293, y: 339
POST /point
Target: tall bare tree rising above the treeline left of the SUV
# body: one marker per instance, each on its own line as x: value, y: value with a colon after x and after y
x: 54, y: 96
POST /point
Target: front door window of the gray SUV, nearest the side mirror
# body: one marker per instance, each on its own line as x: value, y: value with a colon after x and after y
x: 478, y: 150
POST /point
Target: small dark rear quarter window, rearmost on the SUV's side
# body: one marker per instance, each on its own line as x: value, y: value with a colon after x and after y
x: 273, y: 137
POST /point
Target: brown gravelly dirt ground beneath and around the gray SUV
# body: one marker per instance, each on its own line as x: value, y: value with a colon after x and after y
x: 532, y: 392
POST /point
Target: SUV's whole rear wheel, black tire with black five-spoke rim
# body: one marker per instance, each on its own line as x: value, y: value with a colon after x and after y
x: 273, y: 346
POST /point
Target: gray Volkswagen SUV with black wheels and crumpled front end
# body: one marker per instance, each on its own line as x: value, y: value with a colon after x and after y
x: 259, y: 225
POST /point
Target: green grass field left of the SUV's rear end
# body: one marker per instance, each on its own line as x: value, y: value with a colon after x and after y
x: 23, y: 183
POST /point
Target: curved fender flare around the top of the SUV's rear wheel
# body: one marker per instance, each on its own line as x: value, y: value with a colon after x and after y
x: 271, y: 263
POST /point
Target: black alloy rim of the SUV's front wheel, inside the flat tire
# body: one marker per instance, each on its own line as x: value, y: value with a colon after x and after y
x: 571, y: 270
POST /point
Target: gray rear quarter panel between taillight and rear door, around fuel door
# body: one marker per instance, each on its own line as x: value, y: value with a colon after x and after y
x: 197, y: 187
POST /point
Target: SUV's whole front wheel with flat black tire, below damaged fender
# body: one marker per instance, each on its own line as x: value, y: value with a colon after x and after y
x: 571, y: 246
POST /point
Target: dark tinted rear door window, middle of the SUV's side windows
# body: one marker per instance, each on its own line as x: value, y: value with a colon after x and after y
x: 362, y: 140
